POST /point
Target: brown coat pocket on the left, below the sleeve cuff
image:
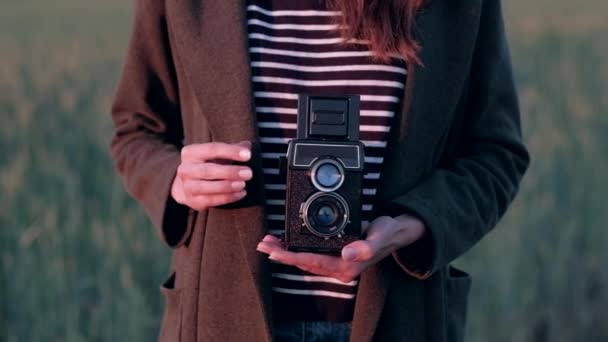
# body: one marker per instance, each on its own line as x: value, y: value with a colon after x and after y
x: 170, y: 330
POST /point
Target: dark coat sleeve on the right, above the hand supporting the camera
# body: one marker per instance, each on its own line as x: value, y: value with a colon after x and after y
x: 463, y: 199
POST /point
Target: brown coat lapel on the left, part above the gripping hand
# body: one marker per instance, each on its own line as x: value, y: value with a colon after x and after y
x: 212, y: 38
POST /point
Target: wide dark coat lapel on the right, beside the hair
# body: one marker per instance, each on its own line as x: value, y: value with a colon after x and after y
x: 446, y: 31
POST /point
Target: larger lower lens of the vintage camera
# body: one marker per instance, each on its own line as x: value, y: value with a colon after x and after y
x: 325, y: 214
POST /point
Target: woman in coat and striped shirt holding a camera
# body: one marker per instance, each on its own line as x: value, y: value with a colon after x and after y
x: 205, y: 108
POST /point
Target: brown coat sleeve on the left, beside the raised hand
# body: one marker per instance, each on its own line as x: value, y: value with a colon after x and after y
x: 148, y: 129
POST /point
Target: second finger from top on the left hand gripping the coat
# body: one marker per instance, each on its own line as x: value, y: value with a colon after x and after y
x: 213, y: 171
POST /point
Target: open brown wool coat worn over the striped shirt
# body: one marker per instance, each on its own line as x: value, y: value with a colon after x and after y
x: 455, y: 160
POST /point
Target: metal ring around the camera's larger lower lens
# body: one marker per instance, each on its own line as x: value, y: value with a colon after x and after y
x: 341, y: 220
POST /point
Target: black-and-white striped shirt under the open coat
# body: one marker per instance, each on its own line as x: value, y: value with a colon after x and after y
x: 295, y: 47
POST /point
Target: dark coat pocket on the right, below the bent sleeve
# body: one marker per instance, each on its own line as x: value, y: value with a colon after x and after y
x: 458, y: 284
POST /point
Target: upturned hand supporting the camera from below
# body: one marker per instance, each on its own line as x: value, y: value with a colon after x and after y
x: 384, y: 236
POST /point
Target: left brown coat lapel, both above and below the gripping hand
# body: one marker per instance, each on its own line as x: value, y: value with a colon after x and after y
x: 212, y: 40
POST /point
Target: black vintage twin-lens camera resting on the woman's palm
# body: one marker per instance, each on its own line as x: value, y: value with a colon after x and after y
x: 324, y: 175
